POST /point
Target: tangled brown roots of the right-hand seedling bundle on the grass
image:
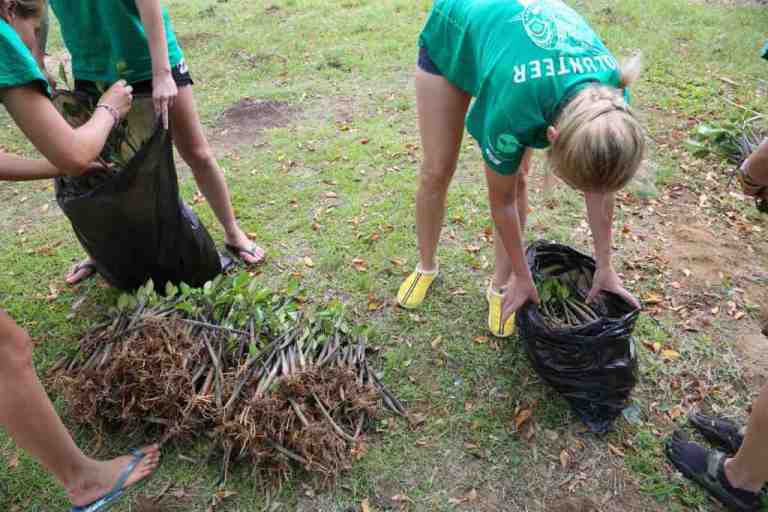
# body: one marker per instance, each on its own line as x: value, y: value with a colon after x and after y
x: 313, y: 419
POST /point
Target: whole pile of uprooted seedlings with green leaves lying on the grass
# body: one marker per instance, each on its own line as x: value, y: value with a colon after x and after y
x: 236, y: 363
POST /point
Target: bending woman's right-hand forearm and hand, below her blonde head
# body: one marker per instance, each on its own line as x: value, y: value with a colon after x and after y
x: 600, y: 215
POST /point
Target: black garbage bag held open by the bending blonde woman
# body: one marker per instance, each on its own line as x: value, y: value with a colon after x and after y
x: 593, y: 366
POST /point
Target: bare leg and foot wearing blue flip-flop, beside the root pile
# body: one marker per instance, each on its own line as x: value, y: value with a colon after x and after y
x: 28, y: 416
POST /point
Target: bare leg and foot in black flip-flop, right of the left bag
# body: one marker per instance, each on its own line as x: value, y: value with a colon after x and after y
x: 193, y: 147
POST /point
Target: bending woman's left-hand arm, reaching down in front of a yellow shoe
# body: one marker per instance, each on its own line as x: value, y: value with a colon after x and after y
x: 502, y: 195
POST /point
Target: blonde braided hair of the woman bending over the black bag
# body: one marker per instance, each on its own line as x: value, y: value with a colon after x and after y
x: 600, y: 143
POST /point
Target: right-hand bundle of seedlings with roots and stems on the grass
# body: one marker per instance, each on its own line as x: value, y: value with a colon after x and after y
x: 308, y: 404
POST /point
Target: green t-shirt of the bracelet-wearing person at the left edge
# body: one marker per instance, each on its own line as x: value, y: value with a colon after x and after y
x: 17, y: 65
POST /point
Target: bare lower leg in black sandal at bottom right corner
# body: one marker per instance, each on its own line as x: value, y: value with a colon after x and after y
x: 748, y: 470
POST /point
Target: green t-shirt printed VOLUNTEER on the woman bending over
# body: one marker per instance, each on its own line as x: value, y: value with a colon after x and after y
x: 519, y: 59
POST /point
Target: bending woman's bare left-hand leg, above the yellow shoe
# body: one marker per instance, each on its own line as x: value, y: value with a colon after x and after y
x: 441, y: 108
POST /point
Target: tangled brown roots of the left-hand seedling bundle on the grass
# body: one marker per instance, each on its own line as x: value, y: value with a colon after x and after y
x: 120, y: 388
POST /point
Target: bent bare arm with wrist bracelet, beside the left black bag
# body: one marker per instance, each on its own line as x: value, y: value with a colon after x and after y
x: 70, y: 150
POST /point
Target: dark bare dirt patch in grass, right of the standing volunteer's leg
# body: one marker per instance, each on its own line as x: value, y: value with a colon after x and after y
x: 243, y: 122
